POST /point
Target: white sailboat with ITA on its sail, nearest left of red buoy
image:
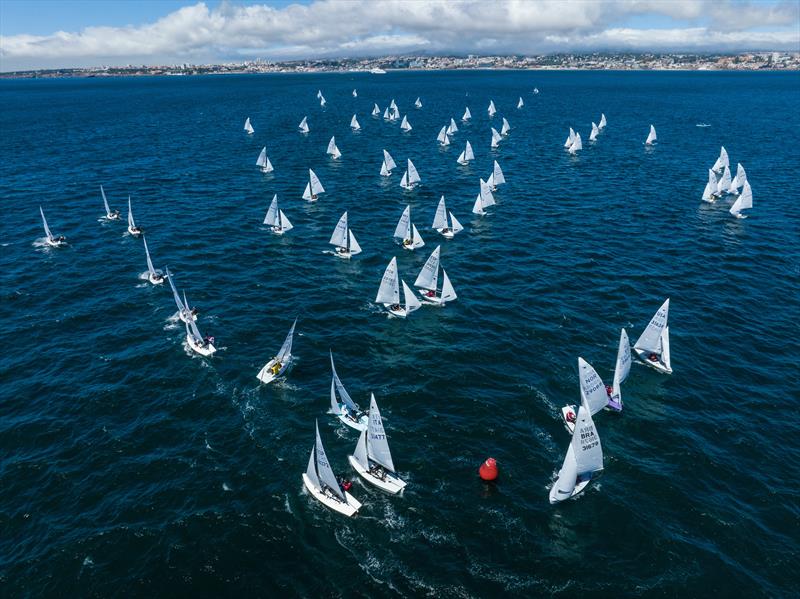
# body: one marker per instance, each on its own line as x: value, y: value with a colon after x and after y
x: 372, y: 458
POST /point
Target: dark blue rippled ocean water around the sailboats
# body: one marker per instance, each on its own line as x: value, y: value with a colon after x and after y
x: 129, y: 466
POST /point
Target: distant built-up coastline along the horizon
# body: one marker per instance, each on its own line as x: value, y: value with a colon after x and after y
x: 749, y: 61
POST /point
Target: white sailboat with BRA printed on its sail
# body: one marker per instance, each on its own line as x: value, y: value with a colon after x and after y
x: 584, y: 458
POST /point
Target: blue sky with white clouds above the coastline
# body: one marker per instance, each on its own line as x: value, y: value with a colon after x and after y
x: 79, y: 33
